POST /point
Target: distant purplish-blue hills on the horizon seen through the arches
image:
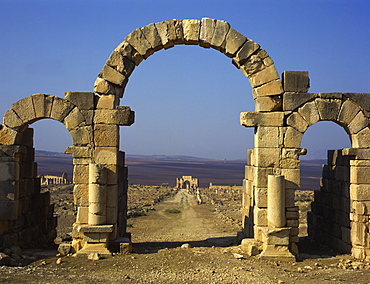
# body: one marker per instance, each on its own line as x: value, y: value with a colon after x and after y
x: 159, y: 169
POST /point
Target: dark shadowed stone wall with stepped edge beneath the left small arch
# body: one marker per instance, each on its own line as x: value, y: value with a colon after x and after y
x: 26, y: 216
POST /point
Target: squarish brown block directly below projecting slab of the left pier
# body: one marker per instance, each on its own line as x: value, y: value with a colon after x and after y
x: 106, y: 135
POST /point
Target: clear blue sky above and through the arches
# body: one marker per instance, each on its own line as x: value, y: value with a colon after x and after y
x: 187, y: 99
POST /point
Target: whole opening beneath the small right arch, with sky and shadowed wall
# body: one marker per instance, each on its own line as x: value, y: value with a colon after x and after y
x: 323, y: 196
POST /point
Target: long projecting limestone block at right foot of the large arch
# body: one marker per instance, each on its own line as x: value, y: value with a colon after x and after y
x: 251, y: 119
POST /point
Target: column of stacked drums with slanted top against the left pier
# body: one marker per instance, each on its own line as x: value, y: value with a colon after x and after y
x: 97, y: 196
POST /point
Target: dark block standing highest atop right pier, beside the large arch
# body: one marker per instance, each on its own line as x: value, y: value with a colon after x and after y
x: 296, y: 81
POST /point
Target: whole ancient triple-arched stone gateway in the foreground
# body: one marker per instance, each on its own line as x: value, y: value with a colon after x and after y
x: 284, y: 110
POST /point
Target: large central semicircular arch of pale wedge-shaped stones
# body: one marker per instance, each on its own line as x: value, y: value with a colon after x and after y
x: 247, y: 55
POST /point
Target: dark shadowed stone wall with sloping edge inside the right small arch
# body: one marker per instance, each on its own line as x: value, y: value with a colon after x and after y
x: 329, y: 219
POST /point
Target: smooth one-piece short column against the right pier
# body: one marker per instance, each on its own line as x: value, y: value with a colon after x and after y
x: 276, y: 201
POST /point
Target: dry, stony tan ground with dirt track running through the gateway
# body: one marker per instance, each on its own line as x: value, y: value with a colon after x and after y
x: 177, y: 240
